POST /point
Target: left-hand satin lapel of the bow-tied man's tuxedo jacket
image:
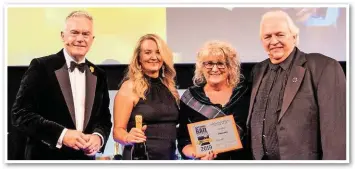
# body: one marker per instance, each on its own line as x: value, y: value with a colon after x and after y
x: 64, y: 83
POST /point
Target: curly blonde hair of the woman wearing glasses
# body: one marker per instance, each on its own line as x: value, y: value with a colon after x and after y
x: 227, y: 53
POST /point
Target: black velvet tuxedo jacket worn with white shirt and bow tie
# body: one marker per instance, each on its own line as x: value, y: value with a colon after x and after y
x: 44, y: 107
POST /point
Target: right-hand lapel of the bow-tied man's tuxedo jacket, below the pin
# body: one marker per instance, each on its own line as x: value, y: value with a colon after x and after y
x: 91, y: 81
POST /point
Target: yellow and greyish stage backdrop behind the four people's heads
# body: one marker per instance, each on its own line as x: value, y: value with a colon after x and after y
x: 185, y: 29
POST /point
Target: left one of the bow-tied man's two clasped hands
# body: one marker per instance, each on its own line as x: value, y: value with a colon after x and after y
x: 75, y: 139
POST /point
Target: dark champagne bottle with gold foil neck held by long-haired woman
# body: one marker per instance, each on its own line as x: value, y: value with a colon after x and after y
x: 139, y: 151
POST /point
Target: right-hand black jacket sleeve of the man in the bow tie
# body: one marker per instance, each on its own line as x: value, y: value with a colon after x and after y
x: 103, y: 124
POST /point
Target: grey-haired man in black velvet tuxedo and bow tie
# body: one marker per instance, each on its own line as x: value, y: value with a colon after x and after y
x: 63, y: 103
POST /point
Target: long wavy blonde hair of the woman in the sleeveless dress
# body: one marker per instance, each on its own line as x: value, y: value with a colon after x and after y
x: 140, y: 84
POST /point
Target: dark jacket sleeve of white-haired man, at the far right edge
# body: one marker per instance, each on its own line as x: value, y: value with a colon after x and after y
x: 331, y: 91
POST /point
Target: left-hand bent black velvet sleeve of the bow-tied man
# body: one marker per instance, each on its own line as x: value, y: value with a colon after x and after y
x: 25, y: 115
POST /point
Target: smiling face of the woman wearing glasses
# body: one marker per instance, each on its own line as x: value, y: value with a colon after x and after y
x: 215, y: 70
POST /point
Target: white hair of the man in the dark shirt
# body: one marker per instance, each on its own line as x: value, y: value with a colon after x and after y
x: 295, y: 31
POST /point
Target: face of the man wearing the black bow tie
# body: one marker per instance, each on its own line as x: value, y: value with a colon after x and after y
x: 78, y: 36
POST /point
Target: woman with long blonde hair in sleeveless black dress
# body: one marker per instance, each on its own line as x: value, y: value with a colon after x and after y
x: 148, y: 90
